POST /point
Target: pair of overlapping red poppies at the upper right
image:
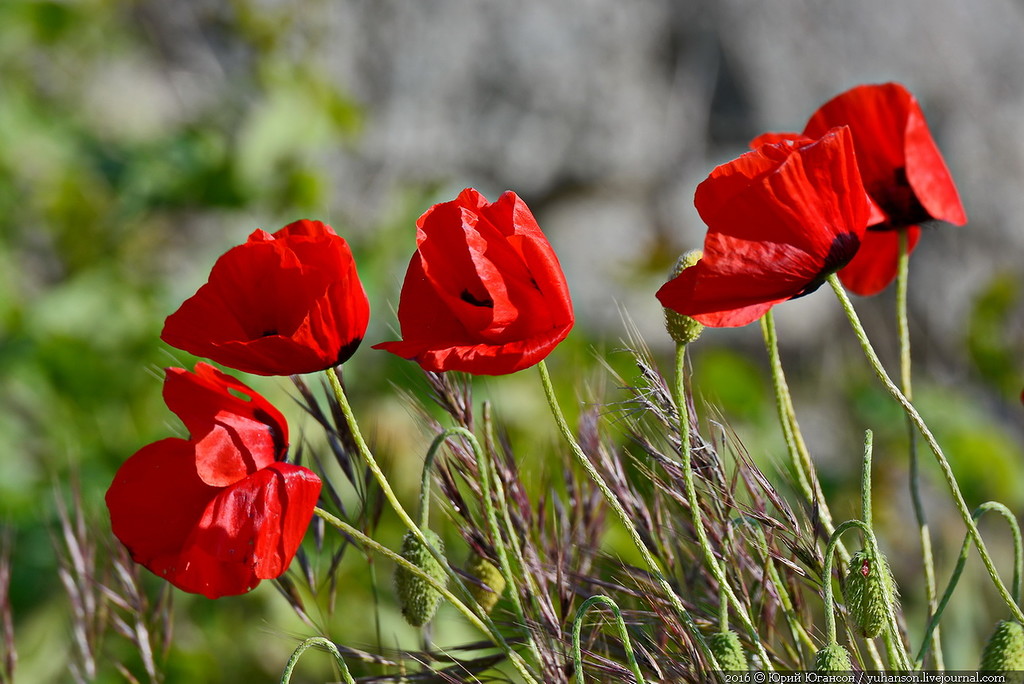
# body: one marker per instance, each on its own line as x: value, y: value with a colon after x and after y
x: 785, y: 217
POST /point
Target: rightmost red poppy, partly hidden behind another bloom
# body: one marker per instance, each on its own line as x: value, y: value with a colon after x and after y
x: 903, y: 170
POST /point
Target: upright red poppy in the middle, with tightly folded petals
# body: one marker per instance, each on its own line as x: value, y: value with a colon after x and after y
x: 485, y: 292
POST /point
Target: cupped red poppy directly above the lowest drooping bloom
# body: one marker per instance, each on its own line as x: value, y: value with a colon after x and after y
x: 280, y: 305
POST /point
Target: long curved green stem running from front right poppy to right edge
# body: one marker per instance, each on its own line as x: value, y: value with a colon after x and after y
x: 919, y: 422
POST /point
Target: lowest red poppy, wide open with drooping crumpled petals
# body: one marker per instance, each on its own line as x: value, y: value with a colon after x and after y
x: 217, y: 514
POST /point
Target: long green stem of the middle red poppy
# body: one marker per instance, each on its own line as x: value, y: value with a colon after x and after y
x: 624, y: 519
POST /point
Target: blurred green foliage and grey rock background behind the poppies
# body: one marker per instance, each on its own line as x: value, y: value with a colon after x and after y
x: 142, y: 139
